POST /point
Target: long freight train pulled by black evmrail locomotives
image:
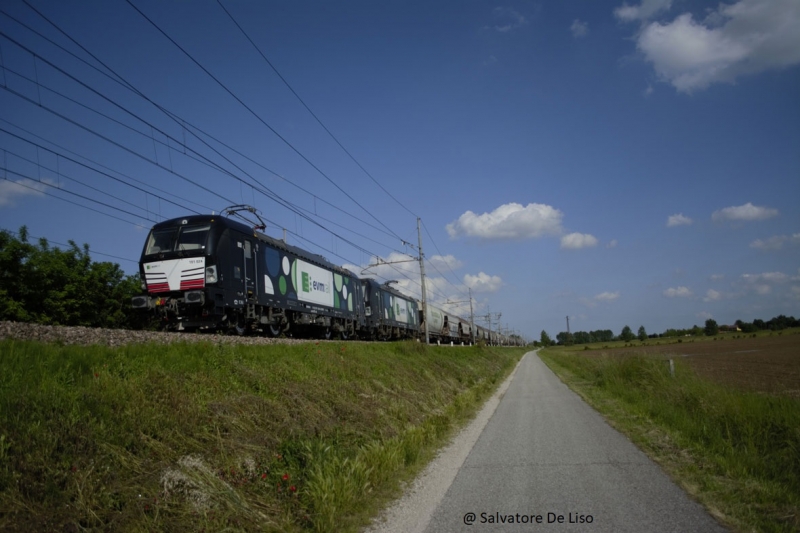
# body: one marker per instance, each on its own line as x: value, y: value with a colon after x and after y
x: 214, y: 273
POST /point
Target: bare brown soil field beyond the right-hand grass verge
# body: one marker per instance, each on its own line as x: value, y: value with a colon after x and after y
x: 765, y: 363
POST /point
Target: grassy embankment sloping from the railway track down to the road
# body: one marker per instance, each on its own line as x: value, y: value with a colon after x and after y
x: 203, y: 437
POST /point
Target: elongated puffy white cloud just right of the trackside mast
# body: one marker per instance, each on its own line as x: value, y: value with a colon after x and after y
x: 509, y: 221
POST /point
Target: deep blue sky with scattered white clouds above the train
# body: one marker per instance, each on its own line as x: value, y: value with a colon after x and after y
x: 617, y: 163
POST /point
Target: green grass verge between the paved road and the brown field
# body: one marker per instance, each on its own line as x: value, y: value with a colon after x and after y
x: 735, y: 451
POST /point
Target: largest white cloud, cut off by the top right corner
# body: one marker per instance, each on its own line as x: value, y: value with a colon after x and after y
x: 746, y: 37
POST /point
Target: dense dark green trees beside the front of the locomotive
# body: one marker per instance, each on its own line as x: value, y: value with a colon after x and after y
x: 47, y: 285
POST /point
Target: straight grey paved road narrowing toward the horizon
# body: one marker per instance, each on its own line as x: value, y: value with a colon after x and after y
x: 545, y: 452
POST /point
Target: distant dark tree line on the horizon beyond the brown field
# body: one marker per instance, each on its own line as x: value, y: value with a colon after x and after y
x: 711, y: 328
